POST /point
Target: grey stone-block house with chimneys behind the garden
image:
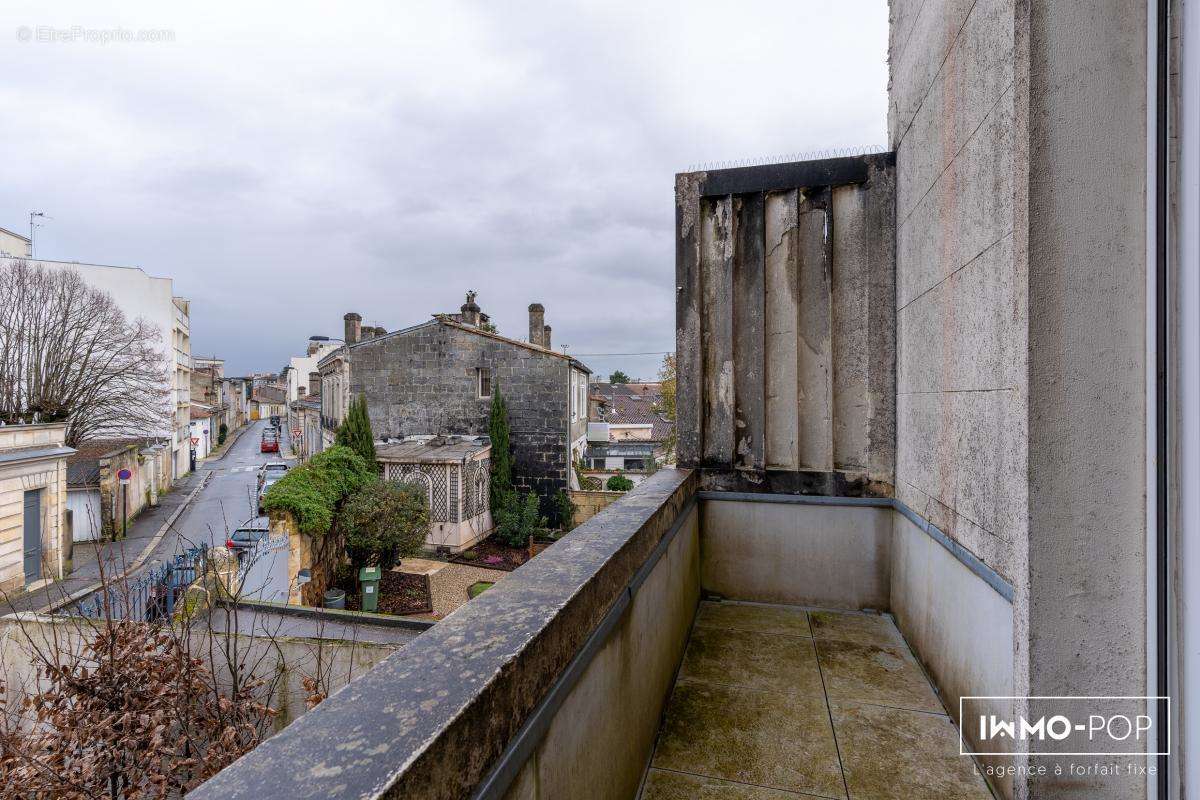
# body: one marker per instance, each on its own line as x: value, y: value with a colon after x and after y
x: 437, y: 378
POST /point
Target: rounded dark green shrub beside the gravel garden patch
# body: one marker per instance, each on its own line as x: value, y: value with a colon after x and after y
x: 385, y: 521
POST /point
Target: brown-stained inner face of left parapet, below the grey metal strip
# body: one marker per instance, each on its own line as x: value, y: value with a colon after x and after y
x: 598, y: 747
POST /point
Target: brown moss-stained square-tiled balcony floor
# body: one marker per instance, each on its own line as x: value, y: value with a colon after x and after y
x: 776, y: 702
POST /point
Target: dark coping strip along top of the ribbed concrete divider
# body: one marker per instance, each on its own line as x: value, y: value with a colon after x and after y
x: 797, y: 175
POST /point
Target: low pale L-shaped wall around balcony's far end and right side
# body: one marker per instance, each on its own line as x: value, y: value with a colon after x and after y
x: 845, y: 556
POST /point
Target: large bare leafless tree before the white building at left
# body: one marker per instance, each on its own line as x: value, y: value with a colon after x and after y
x: 69, y: 353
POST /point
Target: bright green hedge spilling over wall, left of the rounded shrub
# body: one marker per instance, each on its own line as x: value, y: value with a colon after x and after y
x: 314, y: 491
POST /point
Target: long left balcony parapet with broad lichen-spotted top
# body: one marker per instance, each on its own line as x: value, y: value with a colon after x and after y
x: 434, y: 721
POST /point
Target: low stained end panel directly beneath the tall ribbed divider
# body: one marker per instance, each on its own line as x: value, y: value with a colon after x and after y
x: 797, y: 555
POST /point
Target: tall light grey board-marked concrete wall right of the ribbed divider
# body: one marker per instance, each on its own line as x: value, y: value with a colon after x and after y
x: 962, y: 396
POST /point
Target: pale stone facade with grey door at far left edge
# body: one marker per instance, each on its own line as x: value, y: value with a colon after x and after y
x: 34, y: 534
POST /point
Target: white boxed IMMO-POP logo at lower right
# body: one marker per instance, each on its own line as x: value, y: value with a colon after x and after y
x: 1065, y: 726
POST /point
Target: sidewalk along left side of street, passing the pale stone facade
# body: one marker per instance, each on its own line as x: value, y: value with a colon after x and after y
x: 142, y: 545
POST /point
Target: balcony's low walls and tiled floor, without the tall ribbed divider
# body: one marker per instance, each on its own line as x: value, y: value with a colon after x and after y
x: 680, y: 643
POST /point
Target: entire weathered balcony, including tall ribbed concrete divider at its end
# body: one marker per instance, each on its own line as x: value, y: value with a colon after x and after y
x: 773, y: 623
